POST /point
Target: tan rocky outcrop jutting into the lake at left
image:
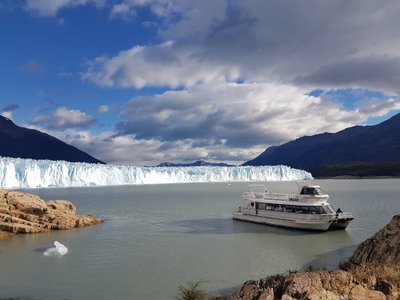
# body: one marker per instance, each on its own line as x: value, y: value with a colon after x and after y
x: 27, y: 213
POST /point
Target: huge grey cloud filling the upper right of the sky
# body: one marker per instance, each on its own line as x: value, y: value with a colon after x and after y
x: 255, y: 42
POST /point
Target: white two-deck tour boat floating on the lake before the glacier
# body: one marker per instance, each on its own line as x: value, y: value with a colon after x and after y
x: 309, y: 209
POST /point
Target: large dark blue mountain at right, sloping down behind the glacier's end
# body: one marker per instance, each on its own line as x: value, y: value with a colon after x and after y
x: 375, y: 147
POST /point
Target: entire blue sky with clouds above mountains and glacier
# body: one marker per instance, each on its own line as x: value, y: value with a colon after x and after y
x: 140, y: 82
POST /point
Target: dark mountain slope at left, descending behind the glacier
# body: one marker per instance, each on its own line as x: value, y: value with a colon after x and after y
x: 16, y: 141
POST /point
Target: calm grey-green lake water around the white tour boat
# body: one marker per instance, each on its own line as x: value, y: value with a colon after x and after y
x: 156, y: 237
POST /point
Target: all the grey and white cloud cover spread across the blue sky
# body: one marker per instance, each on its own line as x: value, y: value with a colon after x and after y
x: 236, y: 75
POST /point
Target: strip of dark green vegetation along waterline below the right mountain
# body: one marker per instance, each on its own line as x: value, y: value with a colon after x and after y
x: 358, y: 169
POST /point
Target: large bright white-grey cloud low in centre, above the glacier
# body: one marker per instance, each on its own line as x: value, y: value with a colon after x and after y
x: 229, y: 121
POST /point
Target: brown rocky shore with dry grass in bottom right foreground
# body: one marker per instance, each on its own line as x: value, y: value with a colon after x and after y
x: 372, y: 272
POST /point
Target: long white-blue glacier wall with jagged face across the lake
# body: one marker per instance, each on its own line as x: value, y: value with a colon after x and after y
x: 29, y: 173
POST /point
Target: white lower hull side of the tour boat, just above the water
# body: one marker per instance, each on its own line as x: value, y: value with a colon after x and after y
x: 315, y: 225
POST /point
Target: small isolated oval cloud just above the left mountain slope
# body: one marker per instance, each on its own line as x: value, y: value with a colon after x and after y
x: 63, y: 118
